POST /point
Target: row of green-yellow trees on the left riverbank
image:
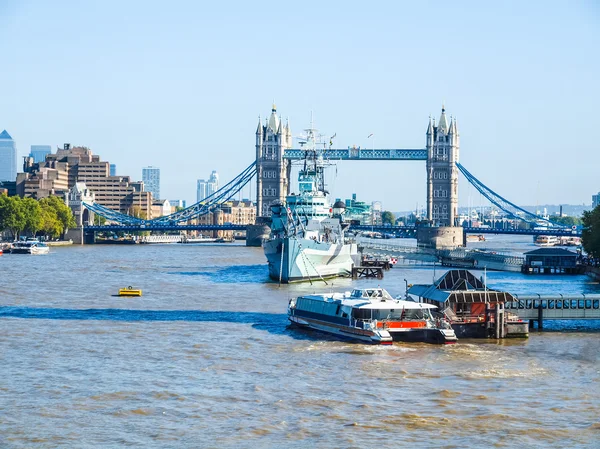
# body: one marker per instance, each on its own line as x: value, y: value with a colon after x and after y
x: 49, y: 217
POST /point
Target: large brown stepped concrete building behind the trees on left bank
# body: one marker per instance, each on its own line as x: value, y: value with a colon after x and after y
x: 69, y: 165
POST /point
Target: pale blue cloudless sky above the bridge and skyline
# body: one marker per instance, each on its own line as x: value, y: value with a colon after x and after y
x: 179, y: 85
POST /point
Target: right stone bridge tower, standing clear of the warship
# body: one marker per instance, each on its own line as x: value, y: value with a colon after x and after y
x: 443, y: 143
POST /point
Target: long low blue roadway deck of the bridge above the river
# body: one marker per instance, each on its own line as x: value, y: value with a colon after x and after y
x: 404, y: 231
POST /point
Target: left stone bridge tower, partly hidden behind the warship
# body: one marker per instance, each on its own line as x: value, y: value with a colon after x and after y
x: 272, y: 171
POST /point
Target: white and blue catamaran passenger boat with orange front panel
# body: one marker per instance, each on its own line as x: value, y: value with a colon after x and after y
x: 371, y: 315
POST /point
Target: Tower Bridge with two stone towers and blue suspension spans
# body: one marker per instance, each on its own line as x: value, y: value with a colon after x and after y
x: 272, y: 168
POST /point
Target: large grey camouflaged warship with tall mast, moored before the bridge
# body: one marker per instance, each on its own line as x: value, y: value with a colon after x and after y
x: 307, y: 240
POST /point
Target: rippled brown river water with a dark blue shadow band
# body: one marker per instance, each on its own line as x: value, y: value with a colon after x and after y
x: 205, y: 359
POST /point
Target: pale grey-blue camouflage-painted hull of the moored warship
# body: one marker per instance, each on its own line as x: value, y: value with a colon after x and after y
x: 298, y: 260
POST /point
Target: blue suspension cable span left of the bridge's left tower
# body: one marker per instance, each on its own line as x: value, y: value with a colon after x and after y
x: 208, y: 204
